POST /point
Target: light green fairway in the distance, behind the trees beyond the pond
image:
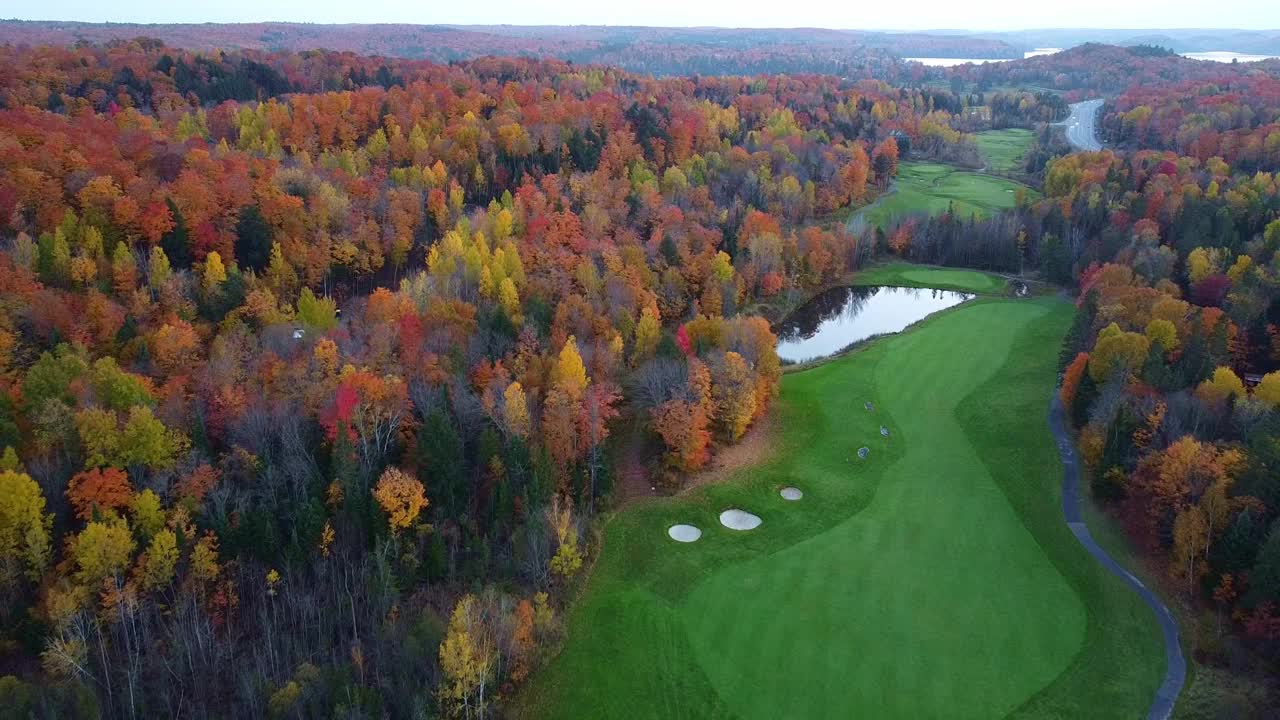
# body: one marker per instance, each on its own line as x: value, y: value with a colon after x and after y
x: 931, y: 189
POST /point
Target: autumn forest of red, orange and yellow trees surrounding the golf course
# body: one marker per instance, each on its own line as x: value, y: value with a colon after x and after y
x: 321, y: 372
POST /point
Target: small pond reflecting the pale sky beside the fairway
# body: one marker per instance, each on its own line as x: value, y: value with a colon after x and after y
x: 844, y: 316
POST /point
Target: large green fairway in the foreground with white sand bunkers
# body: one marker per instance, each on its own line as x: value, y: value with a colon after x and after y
x: 936, y: 578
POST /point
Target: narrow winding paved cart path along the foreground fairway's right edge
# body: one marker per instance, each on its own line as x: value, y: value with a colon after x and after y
x: 1176, y: 668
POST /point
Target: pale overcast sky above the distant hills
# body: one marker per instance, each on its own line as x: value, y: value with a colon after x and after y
x: 845, y: 15
